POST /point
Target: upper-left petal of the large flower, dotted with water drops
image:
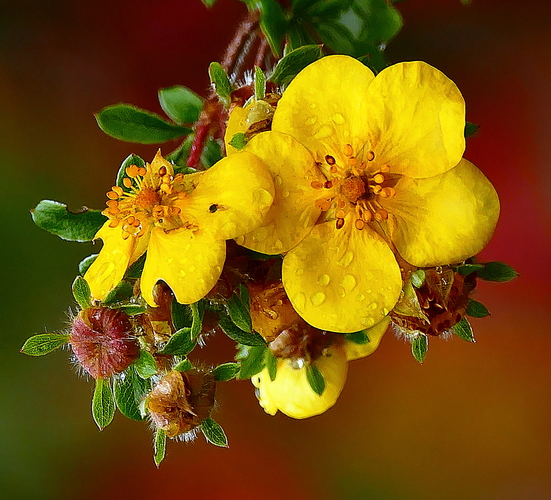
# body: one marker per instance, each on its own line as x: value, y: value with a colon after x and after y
x: 324, y: 107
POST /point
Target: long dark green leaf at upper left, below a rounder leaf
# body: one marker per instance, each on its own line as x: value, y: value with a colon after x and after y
x: 131, y: 124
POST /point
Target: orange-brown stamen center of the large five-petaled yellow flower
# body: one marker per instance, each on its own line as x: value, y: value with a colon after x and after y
x: 357, y: 187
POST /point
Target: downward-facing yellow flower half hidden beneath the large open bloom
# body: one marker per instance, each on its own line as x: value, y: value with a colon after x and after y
x: 291, y: 393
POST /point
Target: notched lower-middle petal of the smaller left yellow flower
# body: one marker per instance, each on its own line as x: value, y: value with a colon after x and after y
x: 189, y: 263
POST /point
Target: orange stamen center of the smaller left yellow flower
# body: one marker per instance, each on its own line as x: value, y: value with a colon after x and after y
x: 149, y: 199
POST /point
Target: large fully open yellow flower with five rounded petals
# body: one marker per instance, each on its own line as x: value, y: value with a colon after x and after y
x: 365, y: 168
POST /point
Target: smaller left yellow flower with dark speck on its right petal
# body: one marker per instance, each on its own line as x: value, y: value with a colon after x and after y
x: 182, y: 222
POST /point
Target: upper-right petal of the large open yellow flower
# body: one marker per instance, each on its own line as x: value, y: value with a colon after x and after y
x: 416, y: 119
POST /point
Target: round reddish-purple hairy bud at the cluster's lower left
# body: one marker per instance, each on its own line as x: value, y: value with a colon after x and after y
x: 103, y: 341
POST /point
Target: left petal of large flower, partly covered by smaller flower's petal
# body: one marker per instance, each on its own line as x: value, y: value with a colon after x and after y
x: 293, y: 213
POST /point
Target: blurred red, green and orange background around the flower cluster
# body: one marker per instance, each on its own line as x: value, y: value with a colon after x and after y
x: 472, y: 422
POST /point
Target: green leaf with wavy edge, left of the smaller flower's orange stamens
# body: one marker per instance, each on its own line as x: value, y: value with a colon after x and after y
x: 79, y: 226
